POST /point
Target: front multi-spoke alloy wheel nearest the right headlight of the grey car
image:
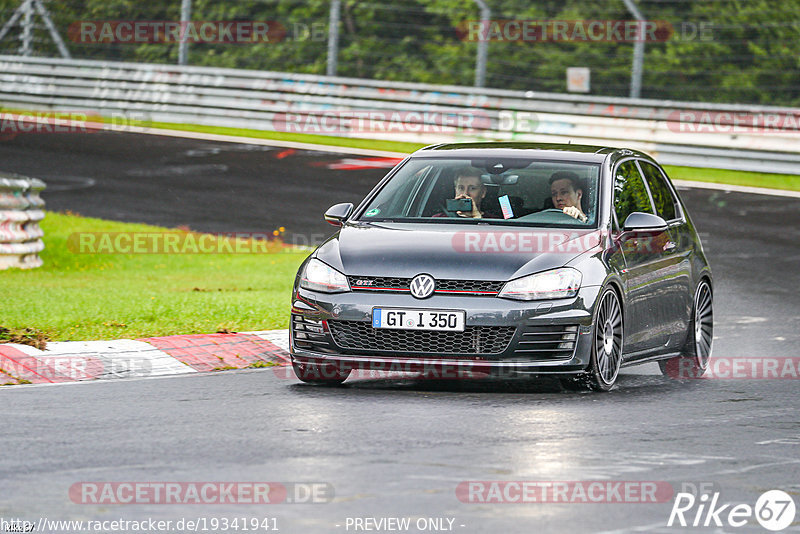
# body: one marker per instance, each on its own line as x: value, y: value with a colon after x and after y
x: 607, y: 339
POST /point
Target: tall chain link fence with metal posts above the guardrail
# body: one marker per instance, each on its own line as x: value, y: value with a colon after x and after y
x: 743, y: 51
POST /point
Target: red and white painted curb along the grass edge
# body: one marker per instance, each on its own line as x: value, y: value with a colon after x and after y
x: 75, y: 361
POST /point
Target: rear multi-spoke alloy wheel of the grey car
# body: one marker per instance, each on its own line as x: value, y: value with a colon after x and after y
x: 693, y: 361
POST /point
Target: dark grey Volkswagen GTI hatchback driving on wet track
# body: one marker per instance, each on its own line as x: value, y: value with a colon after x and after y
x: 507, y: 259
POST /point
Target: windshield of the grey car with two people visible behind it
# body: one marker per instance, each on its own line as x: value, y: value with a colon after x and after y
x: 513, y: 191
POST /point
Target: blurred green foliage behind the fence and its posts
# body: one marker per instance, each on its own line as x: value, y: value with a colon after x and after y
x: 748, y: 51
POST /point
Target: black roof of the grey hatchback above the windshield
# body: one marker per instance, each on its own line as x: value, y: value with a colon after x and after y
x: 554, y: 151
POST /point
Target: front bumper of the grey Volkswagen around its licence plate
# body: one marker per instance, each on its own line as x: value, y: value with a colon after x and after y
x: 532, y: 328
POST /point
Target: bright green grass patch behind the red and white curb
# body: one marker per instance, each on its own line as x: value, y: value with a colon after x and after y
x: 77, y: 296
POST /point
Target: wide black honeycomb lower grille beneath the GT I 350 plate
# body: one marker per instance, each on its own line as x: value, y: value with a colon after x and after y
x: 362, y: 337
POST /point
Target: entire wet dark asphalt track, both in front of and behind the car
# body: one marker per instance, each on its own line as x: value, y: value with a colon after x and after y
x: 394, y: 449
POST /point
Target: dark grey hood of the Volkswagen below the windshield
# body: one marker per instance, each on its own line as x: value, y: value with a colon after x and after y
x: 450, y: 251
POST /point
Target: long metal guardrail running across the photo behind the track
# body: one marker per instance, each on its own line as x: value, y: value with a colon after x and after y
x: 678, y: 133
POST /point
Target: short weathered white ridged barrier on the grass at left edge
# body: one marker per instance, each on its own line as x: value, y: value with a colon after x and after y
x: 20, y: 213
